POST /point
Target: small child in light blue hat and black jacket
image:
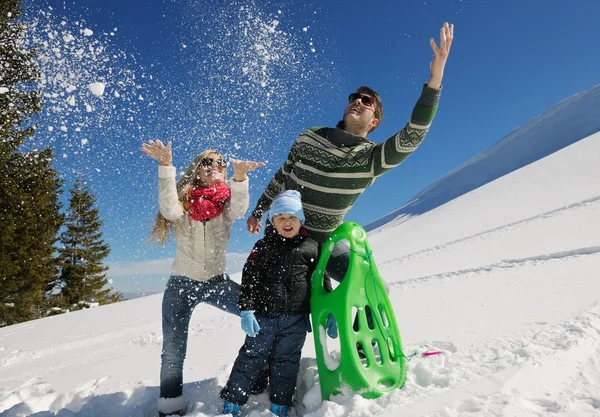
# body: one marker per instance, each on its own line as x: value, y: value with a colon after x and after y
x: 275, y: 304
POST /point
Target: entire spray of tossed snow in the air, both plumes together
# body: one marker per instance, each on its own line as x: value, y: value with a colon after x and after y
x: 261, y: 65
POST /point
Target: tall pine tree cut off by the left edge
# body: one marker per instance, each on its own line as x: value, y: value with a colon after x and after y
x: 29, y: 187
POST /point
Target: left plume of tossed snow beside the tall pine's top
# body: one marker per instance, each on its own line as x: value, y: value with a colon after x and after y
x: 72, y: 59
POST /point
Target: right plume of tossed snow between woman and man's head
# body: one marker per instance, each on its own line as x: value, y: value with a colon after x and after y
x: 252, y: 69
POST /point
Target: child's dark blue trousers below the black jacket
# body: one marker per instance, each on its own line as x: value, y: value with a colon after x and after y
x: 279, y: 342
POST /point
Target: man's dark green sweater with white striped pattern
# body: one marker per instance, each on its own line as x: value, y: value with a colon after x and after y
x: 331, y: 176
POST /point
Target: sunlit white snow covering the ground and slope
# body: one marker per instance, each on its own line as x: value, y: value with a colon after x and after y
x: 503, y: 279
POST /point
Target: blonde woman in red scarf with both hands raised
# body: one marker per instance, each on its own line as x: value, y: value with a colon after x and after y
x: 199, y: 210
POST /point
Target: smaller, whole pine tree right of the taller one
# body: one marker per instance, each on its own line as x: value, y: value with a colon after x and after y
x: 82, y: 274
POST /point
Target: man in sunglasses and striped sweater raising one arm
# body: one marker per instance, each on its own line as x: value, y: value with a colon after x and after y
x: 332, y: 167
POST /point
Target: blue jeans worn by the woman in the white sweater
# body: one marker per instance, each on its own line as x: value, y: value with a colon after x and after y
x: 181, y: 296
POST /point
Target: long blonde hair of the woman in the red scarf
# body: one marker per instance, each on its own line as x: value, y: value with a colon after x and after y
x: 163, y: 227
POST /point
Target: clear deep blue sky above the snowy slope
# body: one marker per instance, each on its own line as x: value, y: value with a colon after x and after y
x: 246, y: 77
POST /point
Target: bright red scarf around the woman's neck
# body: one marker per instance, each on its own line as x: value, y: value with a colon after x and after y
x: 205, y: 203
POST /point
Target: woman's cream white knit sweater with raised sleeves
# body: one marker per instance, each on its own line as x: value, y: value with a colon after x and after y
x: 201, y: 247
